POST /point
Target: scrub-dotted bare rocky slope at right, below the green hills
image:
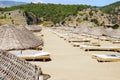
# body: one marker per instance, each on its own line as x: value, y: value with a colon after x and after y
x: 94, y: 17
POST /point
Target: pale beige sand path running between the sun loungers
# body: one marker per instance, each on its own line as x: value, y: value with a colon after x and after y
x: 72, y: 63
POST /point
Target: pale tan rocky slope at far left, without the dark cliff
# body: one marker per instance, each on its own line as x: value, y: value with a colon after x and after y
x: 15, y: 17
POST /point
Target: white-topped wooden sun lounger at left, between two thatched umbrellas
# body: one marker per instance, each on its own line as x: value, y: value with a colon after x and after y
x: 32, y: 54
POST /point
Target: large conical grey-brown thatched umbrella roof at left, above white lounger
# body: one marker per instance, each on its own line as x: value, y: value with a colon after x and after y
x: 17, y: 38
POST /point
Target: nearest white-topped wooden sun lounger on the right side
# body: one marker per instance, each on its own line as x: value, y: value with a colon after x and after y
x: 106, y: 57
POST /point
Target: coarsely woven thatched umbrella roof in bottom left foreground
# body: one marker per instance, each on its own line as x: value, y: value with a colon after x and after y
x: 14, y: 68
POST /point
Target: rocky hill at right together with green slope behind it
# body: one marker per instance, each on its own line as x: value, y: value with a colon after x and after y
x: 107, y: 16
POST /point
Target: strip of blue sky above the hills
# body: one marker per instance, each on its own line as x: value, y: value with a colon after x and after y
x: 88, y: 2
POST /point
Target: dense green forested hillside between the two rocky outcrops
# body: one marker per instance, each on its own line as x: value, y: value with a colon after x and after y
x: 49, y: 12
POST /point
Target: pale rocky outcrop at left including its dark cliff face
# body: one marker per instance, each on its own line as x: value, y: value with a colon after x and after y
x: 17, y: 17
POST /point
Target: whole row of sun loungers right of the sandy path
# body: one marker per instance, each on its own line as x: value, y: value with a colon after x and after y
x: 84, y: 41
